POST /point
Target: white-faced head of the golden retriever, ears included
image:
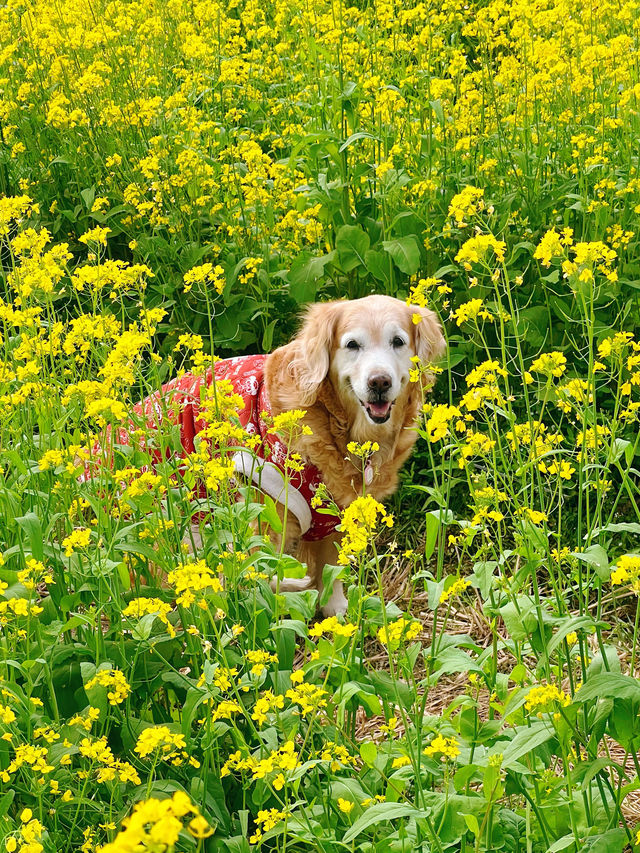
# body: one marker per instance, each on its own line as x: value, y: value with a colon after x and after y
x: 365, y: 346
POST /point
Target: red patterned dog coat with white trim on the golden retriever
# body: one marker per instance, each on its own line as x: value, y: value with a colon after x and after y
x: 246, y: 373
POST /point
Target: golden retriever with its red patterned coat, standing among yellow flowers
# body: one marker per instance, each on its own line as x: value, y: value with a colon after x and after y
x: 348, y: 368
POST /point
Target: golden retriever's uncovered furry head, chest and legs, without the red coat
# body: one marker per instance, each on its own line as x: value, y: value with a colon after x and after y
x: 348, y: 367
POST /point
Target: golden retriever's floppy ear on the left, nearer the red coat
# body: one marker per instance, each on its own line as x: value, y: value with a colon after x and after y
x: 312, y: 349
